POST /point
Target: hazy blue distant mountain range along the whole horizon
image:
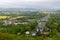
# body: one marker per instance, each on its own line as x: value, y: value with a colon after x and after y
x: 25, y: 9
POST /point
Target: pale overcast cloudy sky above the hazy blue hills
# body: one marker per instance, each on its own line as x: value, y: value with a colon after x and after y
x: 53, y: 4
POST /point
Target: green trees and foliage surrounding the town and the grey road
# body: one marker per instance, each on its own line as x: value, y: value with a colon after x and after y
x: 10, y: 32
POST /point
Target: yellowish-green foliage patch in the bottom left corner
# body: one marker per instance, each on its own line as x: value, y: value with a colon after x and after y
x: 6, y: 36
